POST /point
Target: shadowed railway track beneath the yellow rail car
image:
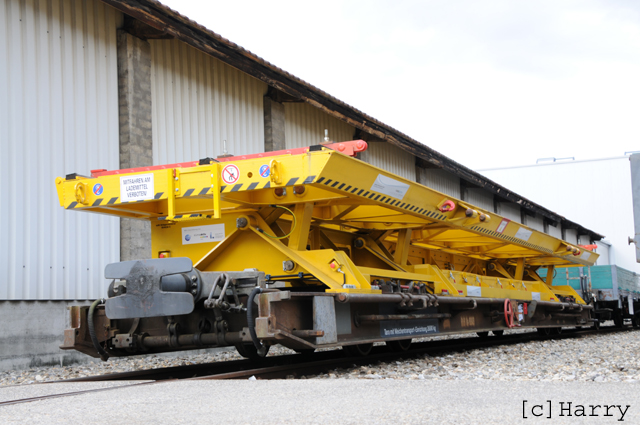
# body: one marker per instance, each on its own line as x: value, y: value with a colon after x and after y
x: 280, y: 367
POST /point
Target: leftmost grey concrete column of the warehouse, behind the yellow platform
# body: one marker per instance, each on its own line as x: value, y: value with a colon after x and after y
x: 134, y: 100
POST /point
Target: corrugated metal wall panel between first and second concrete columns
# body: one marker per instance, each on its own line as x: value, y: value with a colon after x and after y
x: 198, y: 102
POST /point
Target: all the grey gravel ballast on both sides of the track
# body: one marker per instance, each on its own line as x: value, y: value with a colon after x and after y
x: 611, y: 357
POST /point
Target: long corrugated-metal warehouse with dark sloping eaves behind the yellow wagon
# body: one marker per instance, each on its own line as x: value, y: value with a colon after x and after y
x: 116, y: 84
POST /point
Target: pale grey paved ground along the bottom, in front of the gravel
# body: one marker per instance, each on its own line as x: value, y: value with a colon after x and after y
x: 328, y: 402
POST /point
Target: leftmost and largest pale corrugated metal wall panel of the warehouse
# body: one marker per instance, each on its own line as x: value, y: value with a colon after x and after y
x: 58, y: 115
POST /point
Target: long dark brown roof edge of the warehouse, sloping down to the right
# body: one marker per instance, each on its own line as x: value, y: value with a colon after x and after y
x: 163, y: 18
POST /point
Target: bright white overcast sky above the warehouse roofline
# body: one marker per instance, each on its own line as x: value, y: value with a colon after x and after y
x: 487, y: 83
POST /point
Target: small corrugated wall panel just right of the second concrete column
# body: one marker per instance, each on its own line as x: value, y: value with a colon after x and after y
x: 305, y: 125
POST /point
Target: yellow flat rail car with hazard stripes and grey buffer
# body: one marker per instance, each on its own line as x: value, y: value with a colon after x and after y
x: 310, y: 248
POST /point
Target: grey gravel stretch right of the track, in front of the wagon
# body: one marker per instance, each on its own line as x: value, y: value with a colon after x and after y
x: 610, y: 357
